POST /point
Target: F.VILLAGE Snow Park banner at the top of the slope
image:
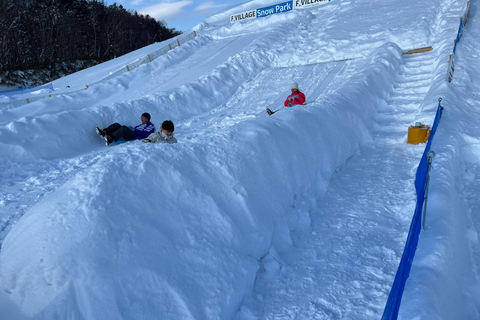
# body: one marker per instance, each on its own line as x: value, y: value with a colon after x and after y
x: 276, y: 8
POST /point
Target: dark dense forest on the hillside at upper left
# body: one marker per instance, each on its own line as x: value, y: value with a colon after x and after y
x: 41, y: 33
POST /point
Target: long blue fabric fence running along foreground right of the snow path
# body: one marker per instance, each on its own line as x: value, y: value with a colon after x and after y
x: 395, y: 296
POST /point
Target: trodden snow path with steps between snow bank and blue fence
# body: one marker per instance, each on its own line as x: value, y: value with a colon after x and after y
x: 359, y: 226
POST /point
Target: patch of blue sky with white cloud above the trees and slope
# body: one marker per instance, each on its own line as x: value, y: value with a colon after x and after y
x: 181, y: 15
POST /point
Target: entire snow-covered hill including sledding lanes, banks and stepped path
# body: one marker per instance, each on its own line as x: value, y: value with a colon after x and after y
x: 301, y: 215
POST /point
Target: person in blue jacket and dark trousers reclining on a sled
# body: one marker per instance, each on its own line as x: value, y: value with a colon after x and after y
x: 116, y: 131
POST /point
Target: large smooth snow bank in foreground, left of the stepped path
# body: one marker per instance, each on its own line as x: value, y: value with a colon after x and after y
x: 178, y: 230
